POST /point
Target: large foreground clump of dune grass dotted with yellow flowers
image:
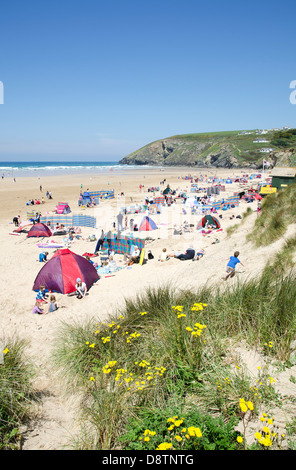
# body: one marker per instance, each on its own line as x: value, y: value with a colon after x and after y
x: 169, y: 350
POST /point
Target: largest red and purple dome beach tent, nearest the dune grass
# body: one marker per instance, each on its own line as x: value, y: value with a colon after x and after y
x: 59, y: 274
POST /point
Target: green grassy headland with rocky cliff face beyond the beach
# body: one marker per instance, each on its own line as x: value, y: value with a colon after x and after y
x: 228, y: 149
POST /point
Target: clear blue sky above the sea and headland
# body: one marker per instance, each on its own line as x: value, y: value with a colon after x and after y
x: 95, y: 80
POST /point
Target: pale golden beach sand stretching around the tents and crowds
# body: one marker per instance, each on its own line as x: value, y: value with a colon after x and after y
x: 19, y: 266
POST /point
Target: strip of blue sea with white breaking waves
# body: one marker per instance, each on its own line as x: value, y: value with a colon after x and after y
x: 38, y: 169
